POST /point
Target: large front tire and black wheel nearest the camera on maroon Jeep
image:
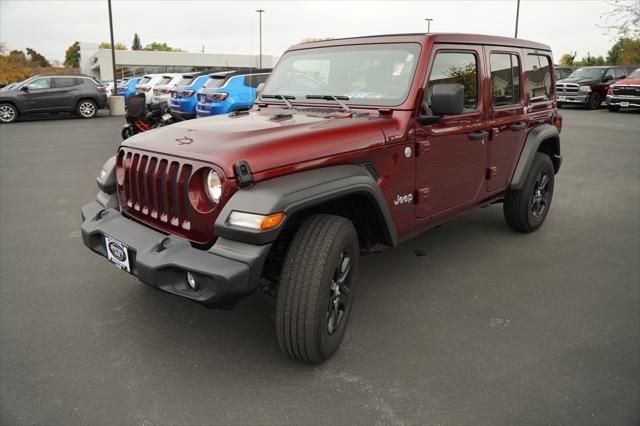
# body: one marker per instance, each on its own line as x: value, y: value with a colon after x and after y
x: 316, y: 289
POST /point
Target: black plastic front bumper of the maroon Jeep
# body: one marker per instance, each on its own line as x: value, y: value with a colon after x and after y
x: 226, y: 272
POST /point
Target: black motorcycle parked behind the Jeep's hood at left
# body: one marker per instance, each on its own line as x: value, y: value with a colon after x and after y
x: 141, y: 118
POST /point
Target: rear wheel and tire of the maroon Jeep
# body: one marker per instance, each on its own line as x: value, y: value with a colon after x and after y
x: 526, y: 209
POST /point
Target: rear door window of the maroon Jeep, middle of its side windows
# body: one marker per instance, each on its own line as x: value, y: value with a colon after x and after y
x: 505, y: 79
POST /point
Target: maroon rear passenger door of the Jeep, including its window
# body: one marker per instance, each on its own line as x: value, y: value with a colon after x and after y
x: 506, y: 116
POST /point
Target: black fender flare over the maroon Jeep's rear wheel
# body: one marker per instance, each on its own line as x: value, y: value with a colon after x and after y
x: 535, y: 138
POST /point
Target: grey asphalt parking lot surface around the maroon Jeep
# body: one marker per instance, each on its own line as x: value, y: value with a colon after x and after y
x: 489, y: 328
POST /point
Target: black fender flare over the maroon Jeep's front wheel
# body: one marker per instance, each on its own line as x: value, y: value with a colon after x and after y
x: 296, y: 192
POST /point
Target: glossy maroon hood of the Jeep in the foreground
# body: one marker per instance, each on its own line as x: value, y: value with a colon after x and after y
x: 266, y: 141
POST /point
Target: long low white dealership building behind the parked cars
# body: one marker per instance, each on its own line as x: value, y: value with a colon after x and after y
x: 97, y: 62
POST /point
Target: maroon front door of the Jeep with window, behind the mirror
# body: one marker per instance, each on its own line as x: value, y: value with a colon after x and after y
x: 452, y: 155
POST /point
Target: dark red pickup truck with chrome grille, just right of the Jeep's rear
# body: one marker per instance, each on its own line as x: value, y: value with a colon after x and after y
x: 588, y: 86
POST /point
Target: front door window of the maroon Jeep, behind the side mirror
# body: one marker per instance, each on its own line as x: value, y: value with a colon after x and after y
x: 452, y: 68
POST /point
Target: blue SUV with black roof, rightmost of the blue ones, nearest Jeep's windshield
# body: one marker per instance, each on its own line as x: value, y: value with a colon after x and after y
x: 229, y: 91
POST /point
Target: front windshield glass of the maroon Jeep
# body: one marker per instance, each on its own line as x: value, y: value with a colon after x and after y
x: 370, y: 74
